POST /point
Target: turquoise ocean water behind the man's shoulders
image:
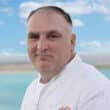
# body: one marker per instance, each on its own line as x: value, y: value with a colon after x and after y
x: 13, y: 86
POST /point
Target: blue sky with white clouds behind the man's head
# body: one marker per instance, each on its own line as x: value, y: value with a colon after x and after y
x: 91, y: 24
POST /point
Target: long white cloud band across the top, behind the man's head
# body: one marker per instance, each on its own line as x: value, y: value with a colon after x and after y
x: 74, y: 7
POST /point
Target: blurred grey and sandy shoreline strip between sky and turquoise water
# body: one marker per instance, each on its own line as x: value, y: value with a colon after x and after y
x: 22, y: 63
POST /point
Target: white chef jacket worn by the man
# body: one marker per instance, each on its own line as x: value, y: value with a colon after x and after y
x: 79, y: 86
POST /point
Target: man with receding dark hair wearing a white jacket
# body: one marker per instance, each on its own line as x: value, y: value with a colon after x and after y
x: 65, y: 82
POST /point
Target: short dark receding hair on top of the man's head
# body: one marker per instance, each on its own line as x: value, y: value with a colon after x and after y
x: 54, y: 8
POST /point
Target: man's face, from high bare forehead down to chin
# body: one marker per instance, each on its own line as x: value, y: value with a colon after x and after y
x: 50, y: 41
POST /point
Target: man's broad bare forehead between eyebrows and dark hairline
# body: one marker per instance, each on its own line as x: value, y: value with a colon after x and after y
x: 47, y: 20
